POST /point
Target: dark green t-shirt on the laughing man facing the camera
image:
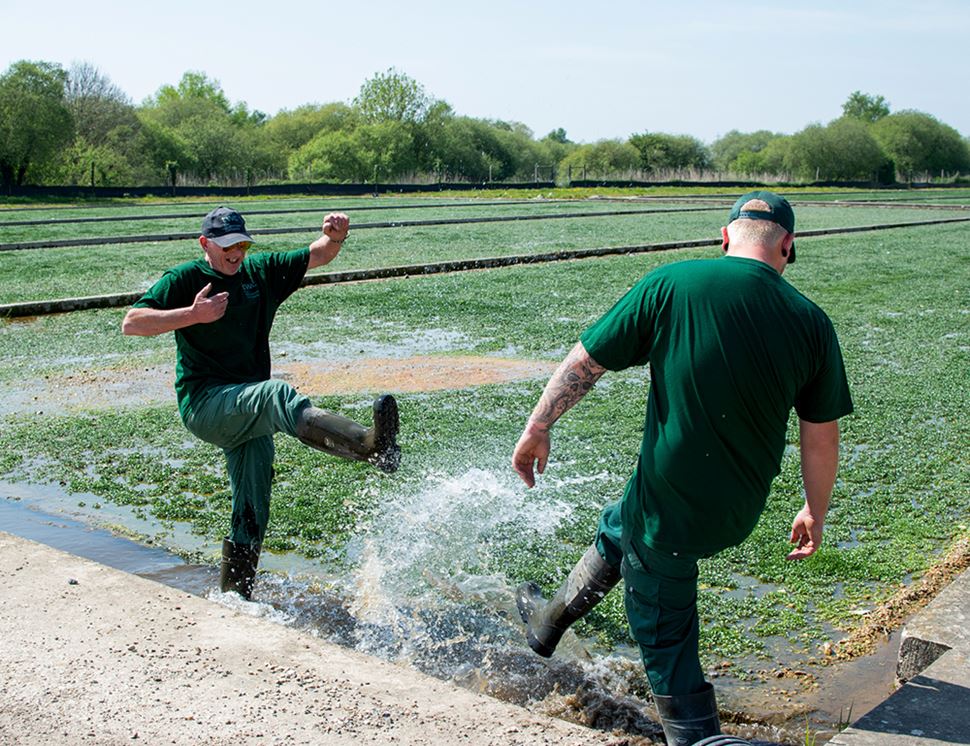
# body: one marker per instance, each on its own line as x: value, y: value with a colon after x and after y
x: 235, y: 348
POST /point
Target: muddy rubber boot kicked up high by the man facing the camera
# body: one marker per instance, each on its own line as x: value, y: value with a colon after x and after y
x: 340, y: 436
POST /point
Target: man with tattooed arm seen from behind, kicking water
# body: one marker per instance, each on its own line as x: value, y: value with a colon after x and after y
x: 732, y: 349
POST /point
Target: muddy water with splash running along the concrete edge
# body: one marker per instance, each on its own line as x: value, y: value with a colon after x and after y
x: 458, y: 627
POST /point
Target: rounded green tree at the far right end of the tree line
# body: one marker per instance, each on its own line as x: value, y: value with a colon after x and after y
x: 921, y: 145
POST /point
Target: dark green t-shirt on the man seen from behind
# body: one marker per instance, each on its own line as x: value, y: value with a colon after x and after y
x: 732, y: 347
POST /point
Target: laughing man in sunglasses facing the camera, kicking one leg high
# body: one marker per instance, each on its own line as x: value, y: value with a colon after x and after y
x: 221, y: 308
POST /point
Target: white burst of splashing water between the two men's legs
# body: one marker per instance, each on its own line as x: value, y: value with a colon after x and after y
x: 418, y: 582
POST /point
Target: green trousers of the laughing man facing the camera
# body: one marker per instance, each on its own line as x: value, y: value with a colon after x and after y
x: 241, y: 419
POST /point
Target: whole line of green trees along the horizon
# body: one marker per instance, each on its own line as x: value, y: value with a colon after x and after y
x: 75, y: 127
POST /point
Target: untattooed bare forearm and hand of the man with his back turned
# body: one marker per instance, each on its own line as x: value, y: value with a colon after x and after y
x: 820, y: 462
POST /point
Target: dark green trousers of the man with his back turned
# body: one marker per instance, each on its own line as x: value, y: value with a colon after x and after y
x: 661, y: 606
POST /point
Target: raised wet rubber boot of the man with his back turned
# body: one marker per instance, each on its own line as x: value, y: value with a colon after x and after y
x: 588, y: 583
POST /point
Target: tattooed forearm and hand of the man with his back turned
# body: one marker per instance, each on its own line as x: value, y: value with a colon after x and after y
x: 574, y: 377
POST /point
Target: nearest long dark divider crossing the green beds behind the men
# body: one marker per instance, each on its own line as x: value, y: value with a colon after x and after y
x: 45, y: 307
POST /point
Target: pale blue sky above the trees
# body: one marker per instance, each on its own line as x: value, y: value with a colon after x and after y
x: 598, y: 69
